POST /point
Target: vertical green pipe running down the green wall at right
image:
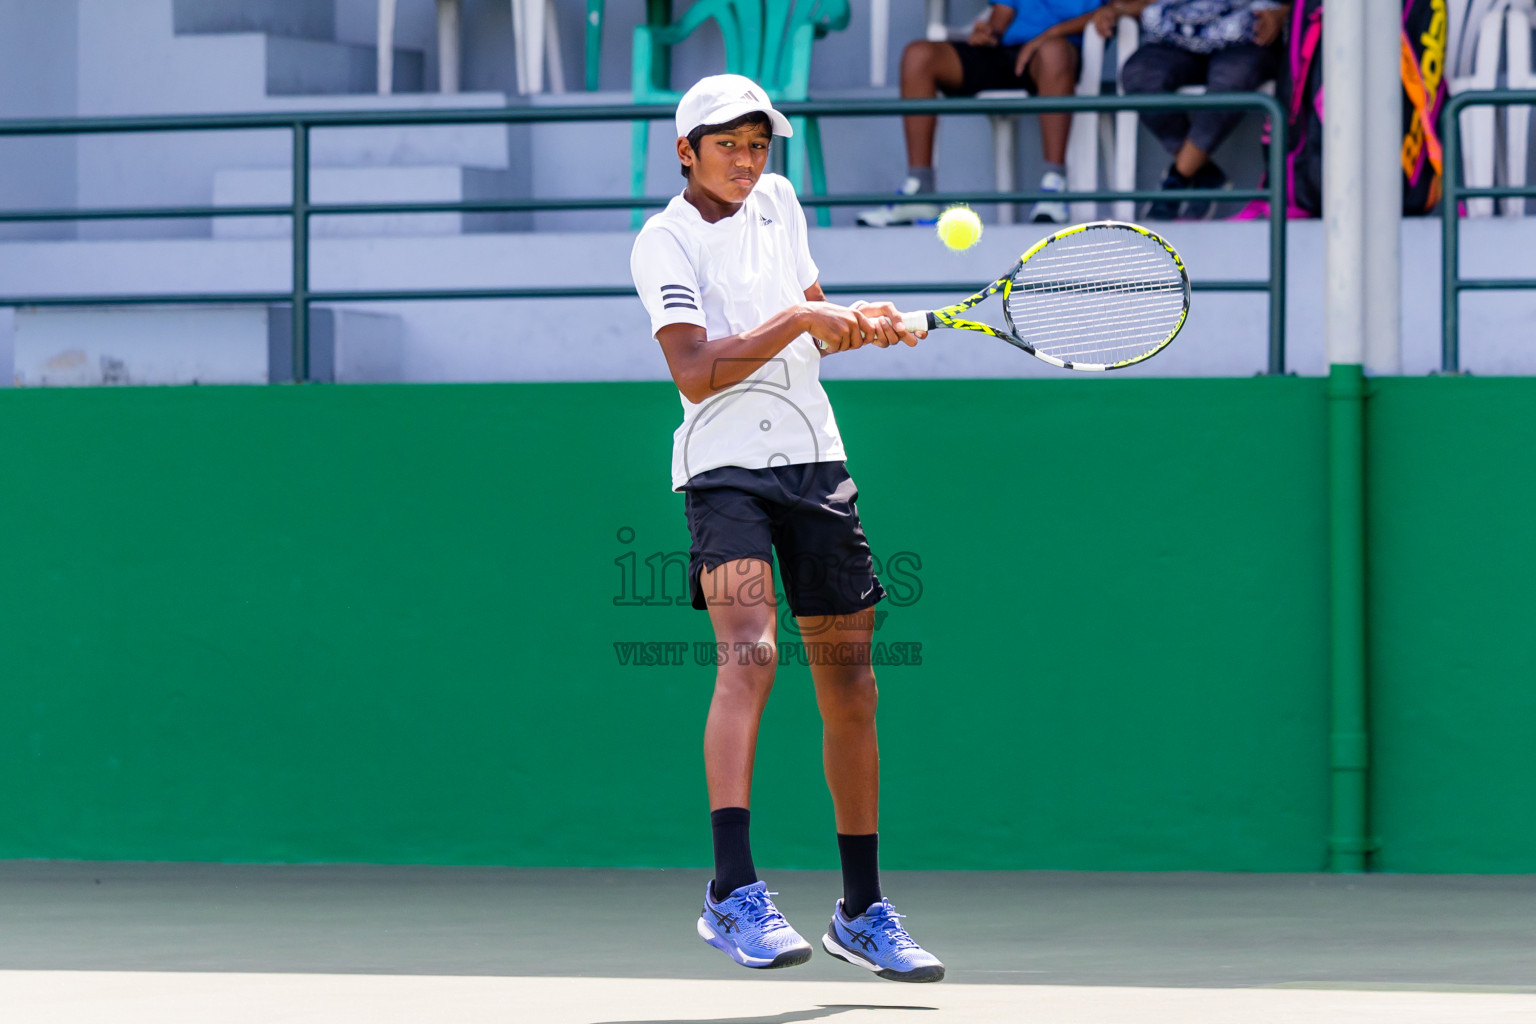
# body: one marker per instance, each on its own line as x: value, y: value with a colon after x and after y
x: 1349, y: 755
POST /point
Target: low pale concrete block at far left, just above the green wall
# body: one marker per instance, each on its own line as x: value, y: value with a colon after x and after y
x: 197, y: 345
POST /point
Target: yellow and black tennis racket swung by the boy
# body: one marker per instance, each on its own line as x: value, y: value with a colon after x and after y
x: 1094, y: 297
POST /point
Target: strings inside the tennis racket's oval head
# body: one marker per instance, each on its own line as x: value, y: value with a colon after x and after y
x: 1105, y: 296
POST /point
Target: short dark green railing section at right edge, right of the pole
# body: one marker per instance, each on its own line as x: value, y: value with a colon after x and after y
x: 1454, y: 193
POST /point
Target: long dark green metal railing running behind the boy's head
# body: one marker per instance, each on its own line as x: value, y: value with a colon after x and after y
x: 300, y: 210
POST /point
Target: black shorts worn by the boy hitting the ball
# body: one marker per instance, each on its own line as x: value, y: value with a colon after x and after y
x: 806, y: 512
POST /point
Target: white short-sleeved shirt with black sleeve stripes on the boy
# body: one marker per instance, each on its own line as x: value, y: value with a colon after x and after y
x: 730, y: 277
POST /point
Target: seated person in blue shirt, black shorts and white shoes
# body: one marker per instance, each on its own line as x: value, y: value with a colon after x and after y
x: 1016, y: 45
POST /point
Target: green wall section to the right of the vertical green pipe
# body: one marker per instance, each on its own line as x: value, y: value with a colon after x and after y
x: 1454, y: 630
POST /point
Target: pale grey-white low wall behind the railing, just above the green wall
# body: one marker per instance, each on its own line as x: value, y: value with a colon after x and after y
x: 560, y: 340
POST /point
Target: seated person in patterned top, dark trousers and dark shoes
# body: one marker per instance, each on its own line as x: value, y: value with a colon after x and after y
x: 1225, y: 45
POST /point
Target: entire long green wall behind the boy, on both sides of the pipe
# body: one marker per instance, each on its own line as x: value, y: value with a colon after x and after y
x: 380, y: 624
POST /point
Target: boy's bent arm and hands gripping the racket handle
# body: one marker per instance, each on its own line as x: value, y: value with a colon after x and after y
x: 703, y: 366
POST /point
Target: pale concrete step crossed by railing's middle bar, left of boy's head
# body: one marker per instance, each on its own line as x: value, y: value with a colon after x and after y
x: 449, y: 183
